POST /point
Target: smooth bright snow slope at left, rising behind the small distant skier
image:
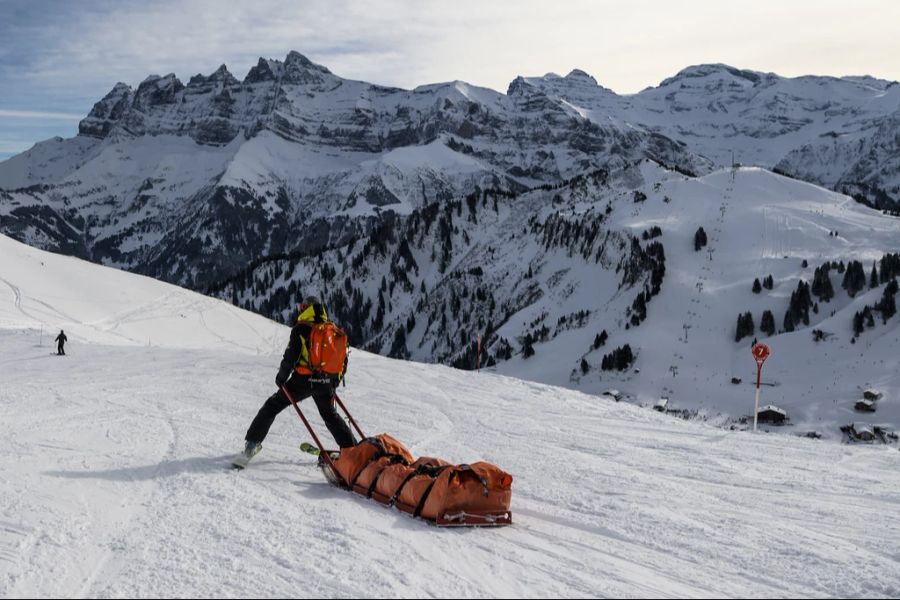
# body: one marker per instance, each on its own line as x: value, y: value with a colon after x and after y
x: 47, y: 292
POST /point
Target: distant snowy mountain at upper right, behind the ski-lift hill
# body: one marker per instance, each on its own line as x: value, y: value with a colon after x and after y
x: 753, y: 118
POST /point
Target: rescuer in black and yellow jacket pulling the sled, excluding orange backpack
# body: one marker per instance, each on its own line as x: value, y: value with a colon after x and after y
x: 297, y: 376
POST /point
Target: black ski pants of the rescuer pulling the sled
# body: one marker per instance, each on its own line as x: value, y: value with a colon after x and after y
x: 300, y: 389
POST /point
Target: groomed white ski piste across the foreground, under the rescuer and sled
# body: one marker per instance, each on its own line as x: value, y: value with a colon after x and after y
x: 114, y: 478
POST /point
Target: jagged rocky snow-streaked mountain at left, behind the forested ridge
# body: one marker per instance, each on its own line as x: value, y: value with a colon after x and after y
x: 189, y: 182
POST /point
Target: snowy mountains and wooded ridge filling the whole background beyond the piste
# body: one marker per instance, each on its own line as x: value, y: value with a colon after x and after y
x: 541, y: 220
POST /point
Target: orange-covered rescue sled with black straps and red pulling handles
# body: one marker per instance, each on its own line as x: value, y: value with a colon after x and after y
x: 444, y: 494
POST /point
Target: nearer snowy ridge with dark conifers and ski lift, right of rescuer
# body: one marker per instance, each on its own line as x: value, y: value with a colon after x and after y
x: 541, y: 275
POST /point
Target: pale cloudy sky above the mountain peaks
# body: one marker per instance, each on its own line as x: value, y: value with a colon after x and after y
x: 58, y: 57
